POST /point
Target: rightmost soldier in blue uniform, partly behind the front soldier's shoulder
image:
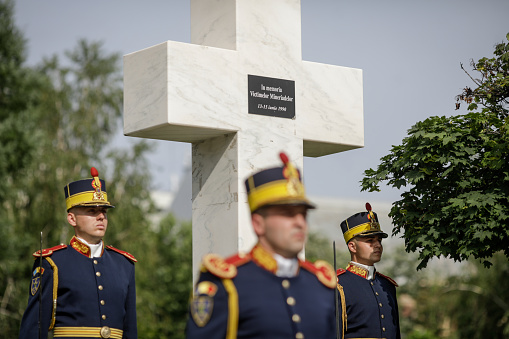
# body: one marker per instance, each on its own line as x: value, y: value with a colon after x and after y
x: 367, y: 299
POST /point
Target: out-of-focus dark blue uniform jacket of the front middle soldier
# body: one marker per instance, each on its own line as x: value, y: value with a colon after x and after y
x: 255, y: 303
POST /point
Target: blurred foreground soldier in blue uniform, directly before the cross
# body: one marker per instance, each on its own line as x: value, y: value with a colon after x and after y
x: 268, y: 292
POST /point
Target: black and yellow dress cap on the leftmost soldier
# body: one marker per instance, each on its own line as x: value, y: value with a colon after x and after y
x: 87, y: 192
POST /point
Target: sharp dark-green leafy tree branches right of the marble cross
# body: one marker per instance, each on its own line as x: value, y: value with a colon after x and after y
x: 456, y: 173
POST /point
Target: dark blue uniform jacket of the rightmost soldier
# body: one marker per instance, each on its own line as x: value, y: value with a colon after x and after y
x: 370, y: 308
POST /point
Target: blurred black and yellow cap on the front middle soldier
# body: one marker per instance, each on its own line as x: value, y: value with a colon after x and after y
x: 276, y: 186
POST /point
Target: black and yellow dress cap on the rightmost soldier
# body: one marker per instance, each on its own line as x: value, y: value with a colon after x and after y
x: 362, y: 224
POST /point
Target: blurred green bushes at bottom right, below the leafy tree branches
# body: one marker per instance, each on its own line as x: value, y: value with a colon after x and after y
x: 470, y: 304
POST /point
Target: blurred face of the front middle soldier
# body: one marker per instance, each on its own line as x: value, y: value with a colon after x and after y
x: 282, y: 229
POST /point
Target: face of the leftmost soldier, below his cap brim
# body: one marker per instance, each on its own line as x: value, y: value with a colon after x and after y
x: 90, y: 223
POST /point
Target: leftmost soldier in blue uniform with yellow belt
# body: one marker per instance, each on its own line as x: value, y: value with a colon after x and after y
x: 85, y: 289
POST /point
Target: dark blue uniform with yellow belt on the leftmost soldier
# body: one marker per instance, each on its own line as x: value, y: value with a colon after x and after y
x: 91, y: 294
